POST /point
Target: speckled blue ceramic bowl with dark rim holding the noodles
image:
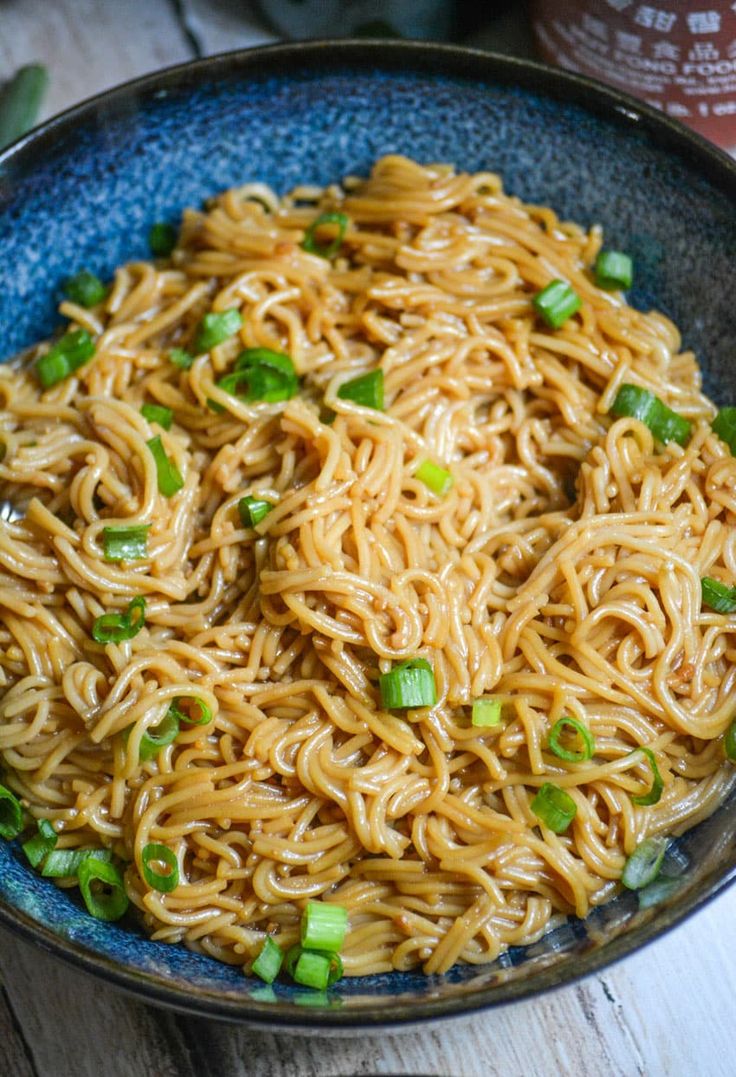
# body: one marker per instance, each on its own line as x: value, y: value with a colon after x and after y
x: 84, y: 190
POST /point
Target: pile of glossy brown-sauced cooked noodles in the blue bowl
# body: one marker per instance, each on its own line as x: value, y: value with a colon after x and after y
x: 560, y: 575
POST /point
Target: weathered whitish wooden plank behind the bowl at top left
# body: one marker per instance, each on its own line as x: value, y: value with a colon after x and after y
x: 88, y: 46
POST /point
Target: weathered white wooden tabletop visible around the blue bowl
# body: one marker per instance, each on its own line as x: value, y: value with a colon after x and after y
x: 668, y: 1012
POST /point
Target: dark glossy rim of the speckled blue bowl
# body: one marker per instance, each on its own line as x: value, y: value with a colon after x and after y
x: 382, y: 57
